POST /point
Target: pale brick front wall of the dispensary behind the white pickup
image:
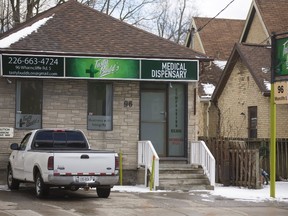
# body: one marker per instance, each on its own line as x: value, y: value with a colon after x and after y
x: 65, y: 106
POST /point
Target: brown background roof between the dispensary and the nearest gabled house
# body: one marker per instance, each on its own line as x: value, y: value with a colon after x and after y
x: 219, y: 36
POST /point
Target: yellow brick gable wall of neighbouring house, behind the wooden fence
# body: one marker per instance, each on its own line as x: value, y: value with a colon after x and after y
x: 240, y: 92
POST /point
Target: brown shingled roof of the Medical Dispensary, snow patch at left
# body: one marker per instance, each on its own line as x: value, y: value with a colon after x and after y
x: 73, y: 28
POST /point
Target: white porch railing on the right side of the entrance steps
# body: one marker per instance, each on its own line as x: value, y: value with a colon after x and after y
x: 200, y: 154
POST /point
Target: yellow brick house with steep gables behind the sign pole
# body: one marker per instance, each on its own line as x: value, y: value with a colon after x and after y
x: 242, y: 96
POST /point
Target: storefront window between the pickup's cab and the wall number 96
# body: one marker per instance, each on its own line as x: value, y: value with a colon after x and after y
x: 99, y: 106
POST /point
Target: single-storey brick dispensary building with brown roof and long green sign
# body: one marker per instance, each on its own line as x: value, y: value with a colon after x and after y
x: 79, y: 68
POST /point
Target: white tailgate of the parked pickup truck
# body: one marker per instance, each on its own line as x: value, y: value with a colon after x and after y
x: 85, y: 163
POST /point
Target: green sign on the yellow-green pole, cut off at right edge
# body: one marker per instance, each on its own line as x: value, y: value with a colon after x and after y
x: 281, y: 57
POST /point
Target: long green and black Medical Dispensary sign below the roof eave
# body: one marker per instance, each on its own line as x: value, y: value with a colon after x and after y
x: 98, y: 68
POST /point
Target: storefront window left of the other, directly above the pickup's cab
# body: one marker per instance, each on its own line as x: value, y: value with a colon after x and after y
x: 29, y: 104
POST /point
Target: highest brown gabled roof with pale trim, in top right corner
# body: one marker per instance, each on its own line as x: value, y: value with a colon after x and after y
x: 273, y: 15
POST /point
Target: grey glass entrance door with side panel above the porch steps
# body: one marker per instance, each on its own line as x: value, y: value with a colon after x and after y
x: 163, y: 117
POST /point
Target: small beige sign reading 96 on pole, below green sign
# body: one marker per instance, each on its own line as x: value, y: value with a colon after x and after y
x: 281, y: 92
